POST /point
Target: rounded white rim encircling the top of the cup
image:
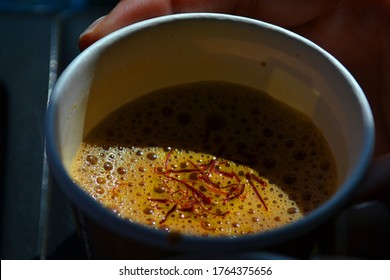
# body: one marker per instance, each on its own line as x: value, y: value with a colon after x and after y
x: 159, y: 238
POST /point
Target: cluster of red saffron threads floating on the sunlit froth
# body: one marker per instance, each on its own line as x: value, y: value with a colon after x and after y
x: 189, y: 188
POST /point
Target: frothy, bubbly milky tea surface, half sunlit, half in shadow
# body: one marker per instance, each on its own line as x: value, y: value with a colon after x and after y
x: 208, y: 158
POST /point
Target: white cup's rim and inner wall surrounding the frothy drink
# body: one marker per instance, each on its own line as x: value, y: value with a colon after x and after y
x: 185, y: 48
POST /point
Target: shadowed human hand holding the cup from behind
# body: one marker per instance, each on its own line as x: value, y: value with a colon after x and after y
x: 354, y: 31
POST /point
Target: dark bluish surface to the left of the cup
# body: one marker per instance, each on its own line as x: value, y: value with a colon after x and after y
x: 37, y: 40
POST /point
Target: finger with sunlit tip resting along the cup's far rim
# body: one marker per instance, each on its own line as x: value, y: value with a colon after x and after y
x: 281, y: 12
